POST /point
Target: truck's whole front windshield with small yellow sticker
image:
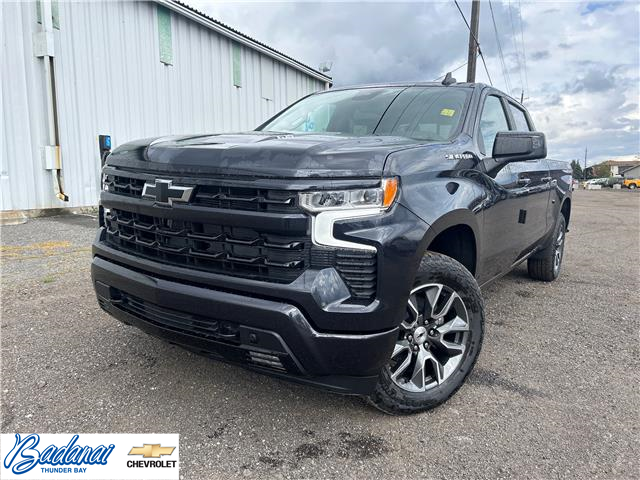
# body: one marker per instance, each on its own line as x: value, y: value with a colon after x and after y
x: 424, y: 113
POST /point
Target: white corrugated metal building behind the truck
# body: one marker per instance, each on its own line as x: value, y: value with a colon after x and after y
x: 75, y: 70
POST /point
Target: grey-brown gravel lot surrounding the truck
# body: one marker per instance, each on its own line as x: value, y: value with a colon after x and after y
x: 554, y: 393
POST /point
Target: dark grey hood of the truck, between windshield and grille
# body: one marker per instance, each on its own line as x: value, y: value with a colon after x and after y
x: 262, y: 154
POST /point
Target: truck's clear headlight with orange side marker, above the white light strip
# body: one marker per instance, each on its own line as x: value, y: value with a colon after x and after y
x: 379, y: 198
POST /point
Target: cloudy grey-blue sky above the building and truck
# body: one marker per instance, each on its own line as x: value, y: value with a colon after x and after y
x: 582, y: 58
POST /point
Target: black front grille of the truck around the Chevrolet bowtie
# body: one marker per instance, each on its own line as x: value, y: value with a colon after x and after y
x: 246, y: 251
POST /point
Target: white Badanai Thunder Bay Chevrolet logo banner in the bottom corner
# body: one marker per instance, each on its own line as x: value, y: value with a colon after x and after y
x: 90, y: 456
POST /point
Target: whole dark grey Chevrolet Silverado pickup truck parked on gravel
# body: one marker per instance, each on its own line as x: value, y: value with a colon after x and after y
x: 341, y: 244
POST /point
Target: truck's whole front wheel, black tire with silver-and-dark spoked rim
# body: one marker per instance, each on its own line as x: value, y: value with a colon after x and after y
x: 438, y: 342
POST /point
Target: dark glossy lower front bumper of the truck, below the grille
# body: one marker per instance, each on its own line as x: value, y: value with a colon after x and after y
x: 270, y: 336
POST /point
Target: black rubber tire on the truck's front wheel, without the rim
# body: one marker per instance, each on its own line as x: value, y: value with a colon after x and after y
x: 440, y: 269
